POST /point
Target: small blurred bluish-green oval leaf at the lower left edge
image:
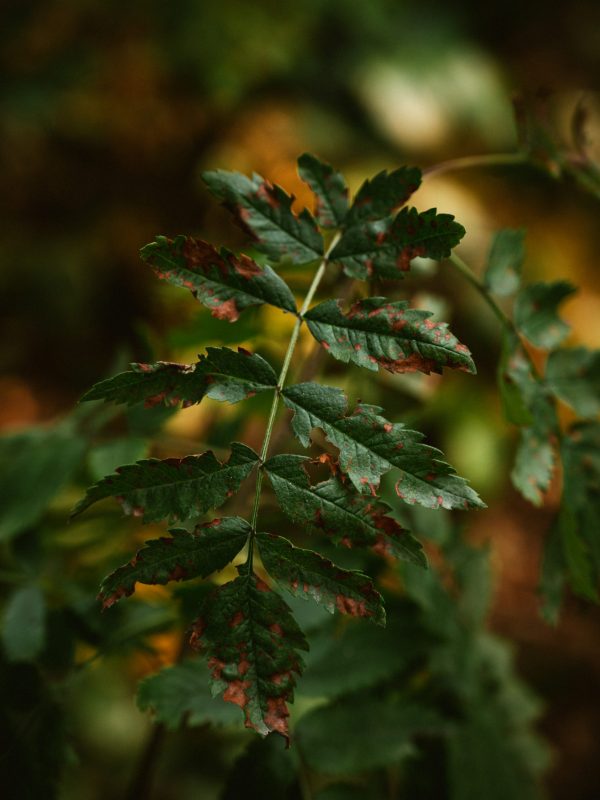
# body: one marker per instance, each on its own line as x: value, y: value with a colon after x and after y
x: 24, y: 624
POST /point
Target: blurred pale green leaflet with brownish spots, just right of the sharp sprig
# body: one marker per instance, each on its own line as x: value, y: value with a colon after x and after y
x: 534, y: 465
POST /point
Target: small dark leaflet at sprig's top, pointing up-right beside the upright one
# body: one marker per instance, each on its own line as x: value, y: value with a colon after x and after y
x: 380, y: 196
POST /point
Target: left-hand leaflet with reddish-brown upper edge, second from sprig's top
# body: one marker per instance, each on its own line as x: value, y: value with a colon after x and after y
x: 223, y: 282
